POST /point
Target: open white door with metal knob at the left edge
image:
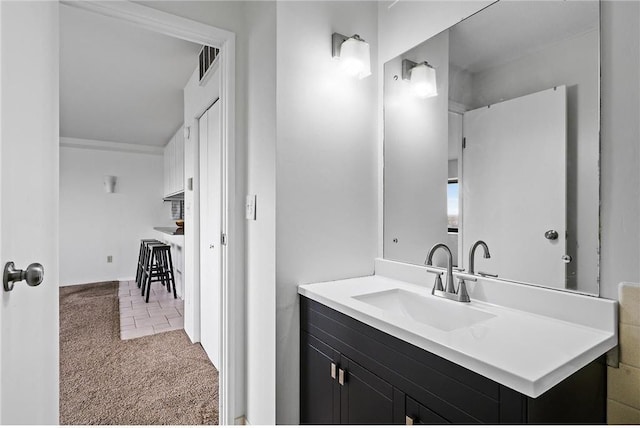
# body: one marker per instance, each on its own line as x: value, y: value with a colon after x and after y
x: 29, y: 210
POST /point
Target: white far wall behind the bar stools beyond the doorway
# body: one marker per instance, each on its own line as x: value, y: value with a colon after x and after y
x: 95, y: 224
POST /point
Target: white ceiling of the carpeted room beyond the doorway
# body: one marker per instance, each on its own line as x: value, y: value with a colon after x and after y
x: 118, y: 82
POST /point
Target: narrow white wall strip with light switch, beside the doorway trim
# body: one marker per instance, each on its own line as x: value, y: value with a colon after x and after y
x: 261, y: 233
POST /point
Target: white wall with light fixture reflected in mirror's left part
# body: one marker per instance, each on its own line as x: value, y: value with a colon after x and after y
x: 415, y: 157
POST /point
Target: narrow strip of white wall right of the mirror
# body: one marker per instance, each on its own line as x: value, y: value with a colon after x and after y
x: 620, y: 180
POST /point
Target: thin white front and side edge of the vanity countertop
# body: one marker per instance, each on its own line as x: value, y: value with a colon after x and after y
x: 531, y: 388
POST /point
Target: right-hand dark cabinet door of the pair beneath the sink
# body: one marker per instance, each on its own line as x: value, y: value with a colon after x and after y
x: 365, y: 398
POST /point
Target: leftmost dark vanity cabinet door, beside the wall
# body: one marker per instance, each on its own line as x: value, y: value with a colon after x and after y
x: 319, y: 388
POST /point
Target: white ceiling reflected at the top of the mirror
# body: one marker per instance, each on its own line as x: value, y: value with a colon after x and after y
x: 508, y: 30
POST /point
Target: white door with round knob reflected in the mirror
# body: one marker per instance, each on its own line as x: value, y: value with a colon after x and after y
x: 514, y: 186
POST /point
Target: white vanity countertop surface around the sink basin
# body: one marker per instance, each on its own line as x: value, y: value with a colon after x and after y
x: 525, y: 351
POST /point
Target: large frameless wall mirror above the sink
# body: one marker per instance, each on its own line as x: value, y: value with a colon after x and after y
x: 491, y: 132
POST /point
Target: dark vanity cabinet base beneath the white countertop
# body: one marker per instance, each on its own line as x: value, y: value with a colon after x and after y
x: 351, y: 373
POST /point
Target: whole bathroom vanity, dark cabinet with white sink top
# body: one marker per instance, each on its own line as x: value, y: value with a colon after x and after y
x: 367, y: 355
